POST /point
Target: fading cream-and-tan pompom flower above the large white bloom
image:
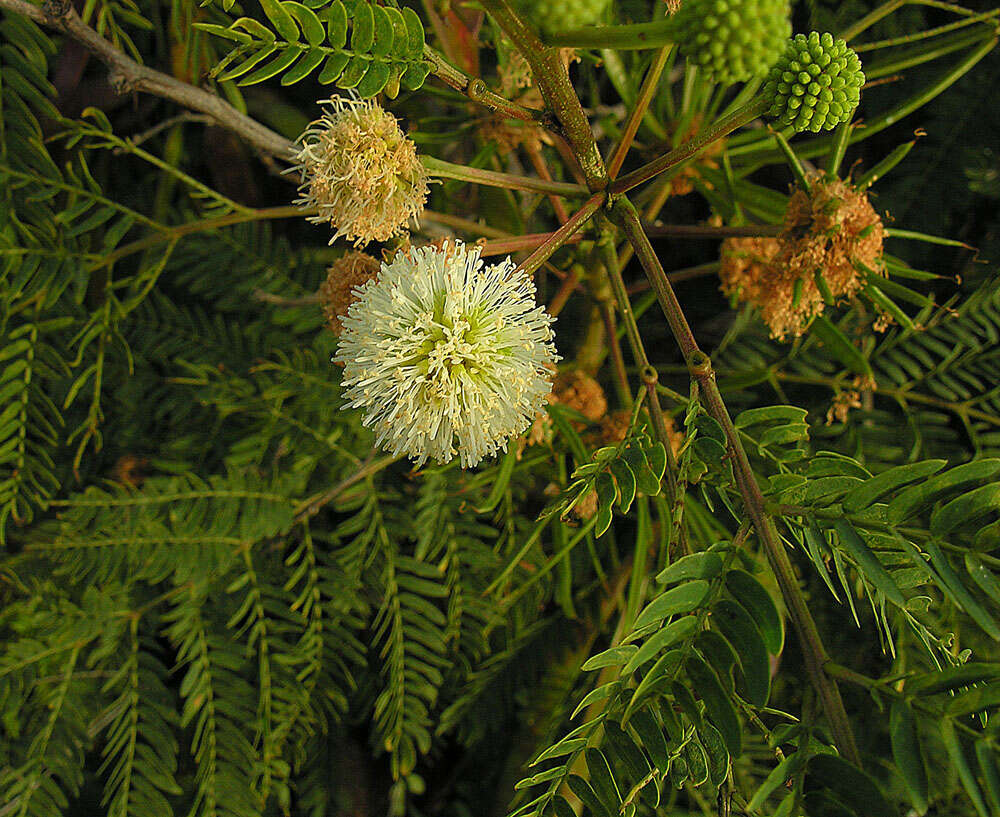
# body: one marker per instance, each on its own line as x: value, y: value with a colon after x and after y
x: 360, y: 172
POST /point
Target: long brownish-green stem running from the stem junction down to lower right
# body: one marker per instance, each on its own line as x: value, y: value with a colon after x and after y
x: 700, y: 368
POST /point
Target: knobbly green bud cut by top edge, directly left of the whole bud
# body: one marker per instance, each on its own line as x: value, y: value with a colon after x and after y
x: 732, y: 40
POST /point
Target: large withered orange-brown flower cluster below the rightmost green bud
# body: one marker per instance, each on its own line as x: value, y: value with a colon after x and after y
x: 832, y: 233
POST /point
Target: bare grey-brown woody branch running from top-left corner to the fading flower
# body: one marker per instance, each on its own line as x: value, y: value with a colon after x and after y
x: 127, y: 75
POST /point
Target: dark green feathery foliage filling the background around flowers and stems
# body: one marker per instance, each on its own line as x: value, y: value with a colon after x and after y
x: 217, y: 600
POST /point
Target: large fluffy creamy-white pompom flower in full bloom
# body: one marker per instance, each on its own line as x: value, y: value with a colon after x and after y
x: 446, y: 355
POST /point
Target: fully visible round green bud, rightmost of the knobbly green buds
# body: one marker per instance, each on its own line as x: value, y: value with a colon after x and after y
x: 815, y: 84
